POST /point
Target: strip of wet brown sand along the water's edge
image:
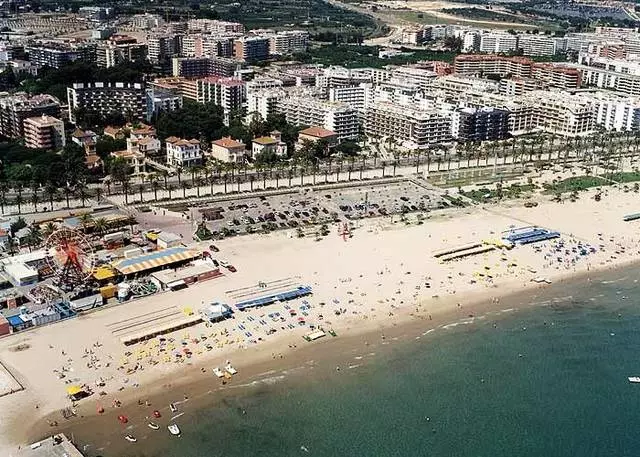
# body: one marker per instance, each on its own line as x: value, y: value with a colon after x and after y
x: 319, y: 359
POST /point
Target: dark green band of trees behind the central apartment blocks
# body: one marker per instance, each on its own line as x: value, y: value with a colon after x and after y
x: 352, y: 56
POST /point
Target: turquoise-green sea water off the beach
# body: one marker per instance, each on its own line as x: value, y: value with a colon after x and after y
x: 544, y: 380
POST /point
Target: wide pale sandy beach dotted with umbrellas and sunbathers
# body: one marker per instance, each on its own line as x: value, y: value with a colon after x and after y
x: 384, y: 276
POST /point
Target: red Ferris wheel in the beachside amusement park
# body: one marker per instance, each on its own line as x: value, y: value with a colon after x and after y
x: 70, y: 256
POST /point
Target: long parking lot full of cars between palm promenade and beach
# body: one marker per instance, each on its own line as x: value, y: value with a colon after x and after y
x: 308, y: 208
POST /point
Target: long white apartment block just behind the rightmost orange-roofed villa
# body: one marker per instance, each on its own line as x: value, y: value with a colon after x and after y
x: 334, y: 116
